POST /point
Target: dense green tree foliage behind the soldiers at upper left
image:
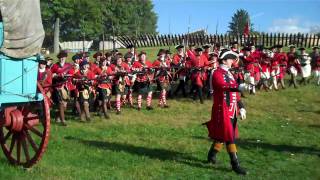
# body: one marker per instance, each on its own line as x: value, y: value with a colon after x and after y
x: 92, y: 18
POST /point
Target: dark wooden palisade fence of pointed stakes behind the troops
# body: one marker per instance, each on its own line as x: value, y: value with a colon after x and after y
x: 266, y: 39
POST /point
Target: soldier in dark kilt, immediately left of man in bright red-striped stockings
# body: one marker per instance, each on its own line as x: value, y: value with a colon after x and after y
x: 144, y: 76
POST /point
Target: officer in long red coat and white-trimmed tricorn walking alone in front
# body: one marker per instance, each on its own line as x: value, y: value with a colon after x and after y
x: 227, y: 105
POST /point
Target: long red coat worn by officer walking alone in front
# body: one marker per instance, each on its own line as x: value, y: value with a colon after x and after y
x: 224, y: 108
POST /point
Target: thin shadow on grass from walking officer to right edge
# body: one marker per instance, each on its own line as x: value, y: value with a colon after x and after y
x: 252, y: 144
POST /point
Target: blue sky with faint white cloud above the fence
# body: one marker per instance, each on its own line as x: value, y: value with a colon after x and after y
x: 288, y: 16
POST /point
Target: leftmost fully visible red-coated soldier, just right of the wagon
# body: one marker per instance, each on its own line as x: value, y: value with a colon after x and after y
x: 60, y: 94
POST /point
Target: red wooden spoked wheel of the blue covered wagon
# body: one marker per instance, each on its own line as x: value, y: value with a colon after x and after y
x: 26, y: 138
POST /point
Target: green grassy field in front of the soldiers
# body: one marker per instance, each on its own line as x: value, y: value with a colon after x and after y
x: 279, y: 140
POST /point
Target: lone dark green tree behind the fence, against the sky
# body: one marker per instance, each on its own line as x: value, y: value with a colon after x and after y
x: 239, y: 21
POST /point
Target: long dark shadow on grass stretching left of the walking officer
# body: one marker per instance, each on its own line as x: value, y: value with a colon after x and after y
x: 153, y: 153
